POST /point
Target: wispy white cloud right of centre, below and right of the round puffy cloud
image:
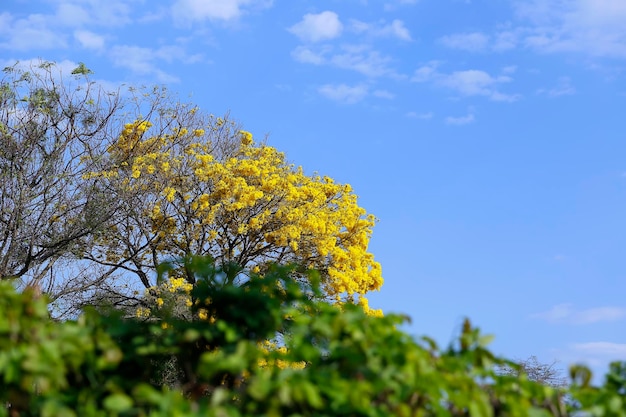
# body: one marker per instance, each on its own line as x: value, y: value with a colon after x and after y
x: 467, y: 83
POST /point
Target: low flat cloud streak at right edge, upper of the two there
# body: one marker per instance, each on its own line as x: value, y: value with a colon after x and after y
x: 565, y: 313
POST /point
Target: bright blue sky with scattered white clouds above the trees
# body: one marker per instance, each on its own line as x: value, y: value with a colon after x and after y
x: 488, y: 137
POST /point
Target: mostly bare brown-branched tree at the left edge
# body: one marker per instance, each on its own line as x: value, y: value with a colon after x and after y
x: 50, y: 128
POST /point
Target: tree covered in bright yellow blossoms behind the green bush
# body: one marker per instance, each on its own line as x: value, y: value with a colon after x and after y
x: 199, y: 185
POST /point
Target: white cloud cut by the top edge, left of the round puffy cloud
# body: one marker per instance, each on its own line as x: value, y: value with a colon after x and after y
x: 225, y: 10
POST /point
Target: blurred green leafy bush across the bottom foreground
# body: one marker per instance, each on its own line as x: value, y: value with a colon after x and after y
x: 330, y: 361
